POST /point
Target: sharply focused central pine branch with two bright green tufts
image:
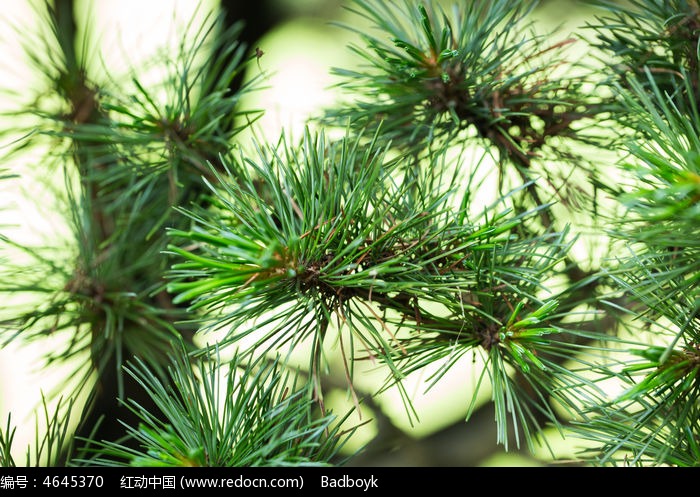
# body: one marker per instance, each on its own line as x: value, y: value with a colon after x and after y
x: 406, y: 280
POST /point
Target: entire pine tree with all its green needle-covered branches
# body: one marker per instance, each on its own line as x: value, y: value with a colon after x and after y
x: 478, y: 197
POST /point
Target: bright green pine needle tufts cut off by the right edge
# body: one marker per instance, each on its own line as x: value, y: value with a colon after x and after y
x: 654, y: 47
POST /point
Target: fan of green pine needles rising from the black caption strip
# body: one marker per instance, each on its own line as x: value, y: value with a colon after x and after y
x: 224, y: 414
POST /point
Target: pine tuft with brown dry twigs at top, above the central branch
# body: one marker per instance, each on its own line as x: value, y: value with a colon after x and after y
x: 477, y: 73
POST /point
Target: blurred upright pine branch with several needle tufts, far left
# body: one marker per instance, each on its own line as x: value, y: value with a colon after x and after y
x: 127, y: 158
